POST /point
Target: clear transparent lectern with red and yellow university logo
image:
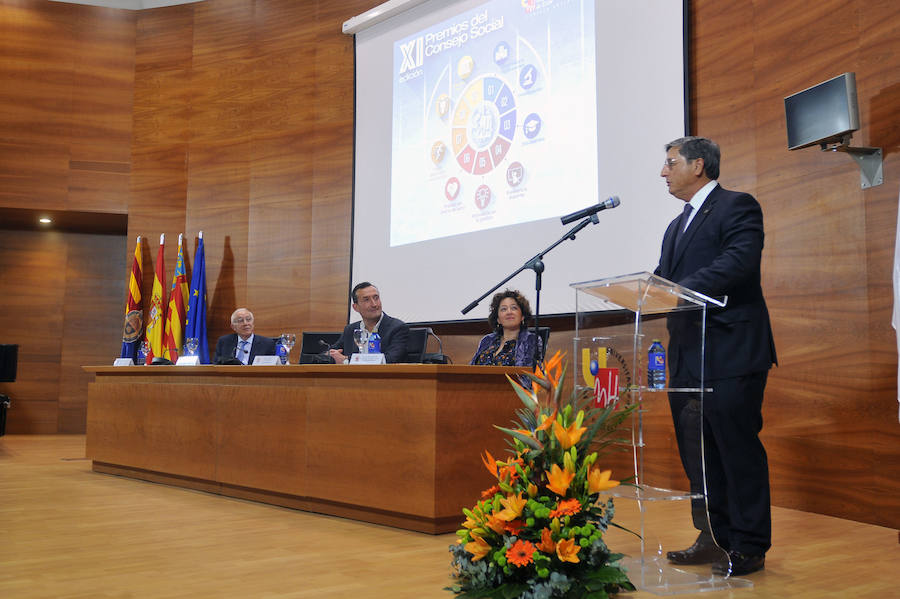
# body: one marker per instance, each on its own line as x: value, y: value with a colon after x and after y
x: 616, y: 322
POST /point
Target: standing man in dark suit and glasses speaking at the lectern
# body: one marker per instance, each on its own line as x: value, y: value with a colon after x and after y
x: 715, y: 247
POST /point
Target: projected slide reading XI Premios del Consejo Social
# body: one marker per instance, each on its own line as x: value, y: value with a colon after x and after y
x: 494, y: 119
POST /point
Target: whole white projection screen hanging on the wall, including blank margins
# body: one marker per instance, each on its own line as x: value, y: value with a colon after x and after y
x: 479, y: 124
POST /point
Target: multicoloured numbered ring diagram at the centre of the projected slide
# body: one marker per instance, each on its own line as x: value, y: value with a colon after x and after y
x: 484, y: 124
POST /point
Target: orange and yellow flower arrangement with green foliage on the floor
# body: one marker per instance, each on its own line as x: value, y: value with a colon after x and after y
x: 538, y: 532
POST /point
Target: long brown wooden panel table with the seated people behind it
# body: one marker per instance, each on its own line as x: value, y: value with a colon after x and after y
x: 395, y: 444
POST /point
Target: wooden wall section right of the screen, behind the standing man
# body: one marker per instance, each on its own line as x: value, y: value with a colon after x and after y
x: 826, y: 265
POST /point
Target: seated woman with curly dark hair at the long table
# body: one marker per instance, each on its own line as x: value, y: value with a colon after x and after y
x: 511, y: 343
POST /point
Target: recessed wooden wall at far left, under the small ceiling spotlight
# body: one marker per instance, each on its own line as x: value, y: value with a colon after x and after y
x: 62, y: 303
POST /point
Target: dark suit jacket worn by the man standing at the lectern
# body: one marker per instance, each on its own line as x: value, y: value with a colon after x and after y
x: 720, y: 255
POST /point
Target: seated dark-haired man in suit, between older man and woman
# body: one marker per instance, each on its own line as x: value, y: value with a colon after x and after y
x: 394, y: 333
